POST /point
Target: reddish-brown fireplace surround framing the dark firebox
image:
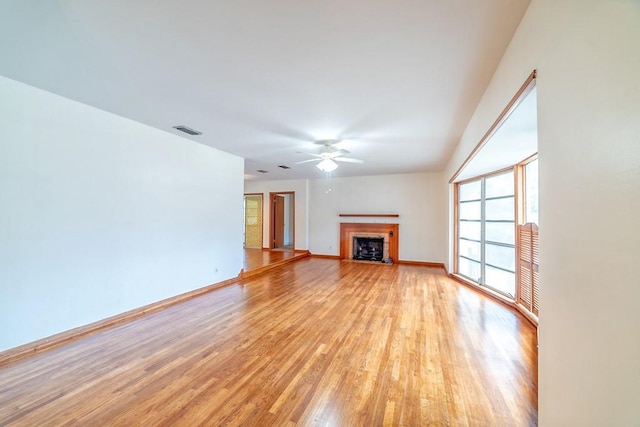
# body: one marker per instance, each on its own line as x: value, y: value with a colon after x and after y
x: 349, y: 229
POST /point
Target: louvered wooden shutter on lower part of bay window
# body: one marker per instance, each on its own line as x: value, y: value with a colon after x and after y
x: 528, y: 265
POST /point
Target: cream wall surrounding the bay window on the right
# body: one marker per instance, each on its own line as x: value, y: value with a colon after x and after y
x: 588, y: 60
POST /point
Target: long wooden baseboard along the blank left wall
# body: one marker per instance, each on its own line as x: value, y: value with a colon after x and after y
x: 30, y: 349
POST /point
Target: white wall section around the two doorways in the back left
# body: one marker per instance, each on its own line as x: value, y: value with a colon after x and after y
x: 299, y: 186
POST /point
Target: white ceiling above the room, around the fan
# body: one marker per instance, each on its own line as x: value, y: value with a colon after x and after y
x: 397, y: 81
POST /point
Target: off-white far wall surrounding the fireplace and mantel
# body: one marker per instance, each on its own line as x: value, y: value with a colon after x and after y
x: 418, y: 199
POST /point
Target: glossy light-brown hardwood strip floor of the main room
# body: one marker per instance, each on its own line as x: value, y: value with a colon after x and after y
x: 316, y: 342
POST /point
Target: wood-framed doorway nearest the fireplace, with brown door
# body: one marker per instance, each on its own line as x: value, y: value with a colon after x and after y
x: 282, y: 220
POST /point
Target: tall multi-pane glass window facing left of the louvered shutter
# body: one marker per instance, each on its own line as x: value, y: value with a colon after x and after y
x: 486, y: 232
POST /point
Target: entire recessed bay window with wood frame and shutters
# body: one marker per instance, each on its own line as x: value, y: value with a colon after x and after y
x: 496, y: 205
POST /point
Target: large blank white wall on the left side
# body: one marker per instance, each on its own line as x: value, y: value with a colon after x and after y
x: 100, y: 214
